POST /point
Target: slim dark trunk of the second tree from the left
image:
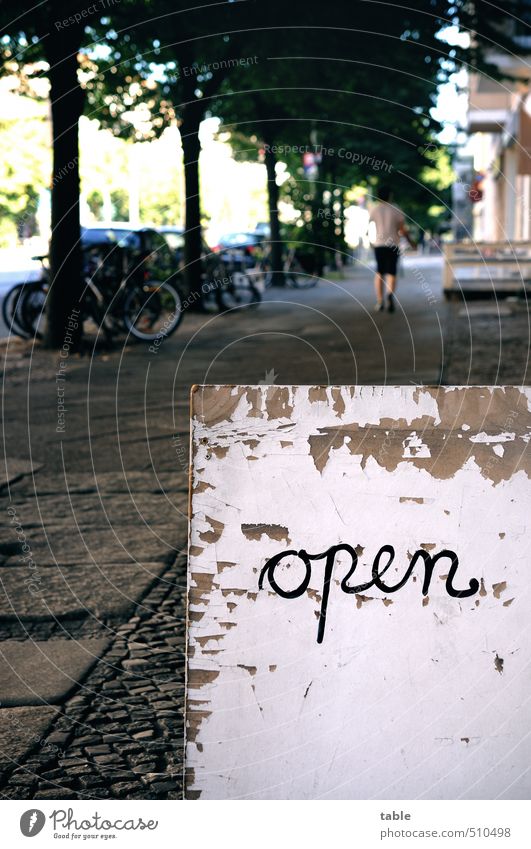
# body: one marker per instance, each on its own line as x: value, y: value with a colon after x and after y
x: 189, y: 130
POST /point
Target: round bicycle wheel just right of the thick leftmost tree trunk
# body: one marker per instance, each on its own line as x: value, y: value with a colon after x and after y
x: 152, y: 310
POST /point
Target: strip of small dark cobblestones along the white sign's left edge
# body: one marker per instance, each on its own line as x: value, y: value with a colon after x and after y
x: 120, y: 736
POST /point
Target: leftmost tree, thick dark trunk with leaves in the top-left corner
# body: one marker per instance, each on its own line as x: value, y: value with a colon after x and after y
x: 51, y: 39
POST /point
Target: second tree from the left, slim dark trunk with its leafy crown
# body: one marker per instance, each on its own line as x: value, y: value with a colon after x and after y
x: 175, y: 56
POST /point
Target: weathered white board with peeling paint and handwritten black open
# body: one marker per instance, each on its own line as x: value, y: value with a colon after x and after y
x: 408, y: 695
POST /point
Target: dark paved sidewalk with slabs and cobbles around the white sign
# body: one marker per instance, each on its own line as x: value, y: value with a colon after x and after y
x: 92, y: 564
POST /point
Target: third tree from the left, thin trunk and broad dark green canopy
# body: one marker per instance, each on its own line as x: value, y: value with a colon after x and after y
x: 355, y: 88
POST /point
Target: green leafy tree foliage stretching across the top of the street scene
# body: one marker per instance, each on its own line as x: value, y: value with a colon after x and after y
x: 357, y: 77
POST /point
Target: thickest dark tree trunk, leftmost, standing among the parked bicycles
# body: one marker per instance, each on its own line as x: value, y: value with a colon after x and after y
x: 65, y: 247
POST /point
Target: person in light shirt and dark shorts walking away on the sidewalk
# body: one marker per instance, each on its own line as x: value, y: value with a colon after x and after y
x: 387, y: 225
